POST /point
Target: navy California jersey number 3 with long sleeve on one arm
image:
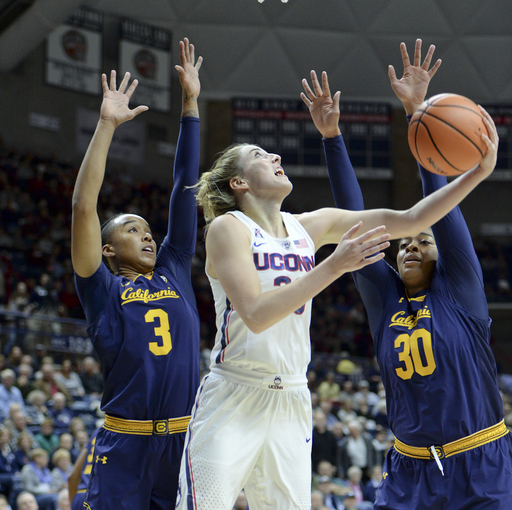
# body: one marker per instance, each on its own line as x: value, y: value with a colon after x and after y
x: 146, y: 332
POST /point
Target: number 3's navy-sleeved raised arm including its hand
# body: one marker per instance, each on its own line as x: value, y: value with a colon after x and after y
x: 183, y: 209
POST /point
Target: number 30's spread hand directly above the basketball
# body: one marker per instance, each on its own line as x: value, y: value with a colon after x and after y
x: 411, y: 89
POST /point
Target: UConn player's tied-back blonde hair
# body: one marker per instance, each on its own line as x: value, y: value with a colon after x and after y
x: 214, y: 193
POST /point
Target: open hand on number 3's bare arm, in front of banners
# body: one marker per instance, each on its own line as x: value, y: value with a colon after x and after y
x: 114, y: 107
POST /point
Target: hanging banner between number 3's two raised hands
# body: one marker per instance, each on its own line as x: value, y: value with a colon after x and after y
x: 145, y: 51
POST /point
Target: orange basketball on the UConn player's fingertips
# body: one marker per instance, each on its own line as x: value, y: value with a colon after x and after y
x: 445, y: 134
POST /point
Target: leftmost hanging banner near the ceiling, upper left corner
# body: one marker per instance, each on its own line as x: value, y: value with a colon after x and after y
x: 73, y: 53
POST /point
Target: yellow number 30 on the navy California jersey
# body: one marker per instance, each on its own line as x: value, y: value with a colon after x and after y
x: 411, y: 356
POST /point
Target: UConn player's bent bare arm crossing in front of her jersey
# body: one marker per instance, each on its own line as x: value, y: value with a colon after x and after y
x: 228, y: 245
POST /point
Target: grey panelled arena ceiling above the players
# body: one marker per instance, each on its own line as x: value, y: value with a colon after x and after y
x: 265, y: 49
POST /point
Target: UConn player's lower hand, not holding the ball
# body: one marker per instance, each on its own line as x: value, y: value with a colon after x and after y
x: 353, y: 254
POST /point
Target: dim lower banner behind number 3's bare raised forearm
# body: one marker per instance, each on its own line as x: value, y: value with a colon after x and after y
x: 127, y: 144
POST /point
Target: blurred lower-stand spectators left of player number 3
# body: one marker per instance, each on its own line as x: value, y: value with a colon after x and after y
x: 47, y: 412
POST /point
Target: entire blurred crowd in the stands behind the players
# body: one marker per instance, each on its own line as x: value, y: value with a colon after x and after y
x: 49, y: 402
